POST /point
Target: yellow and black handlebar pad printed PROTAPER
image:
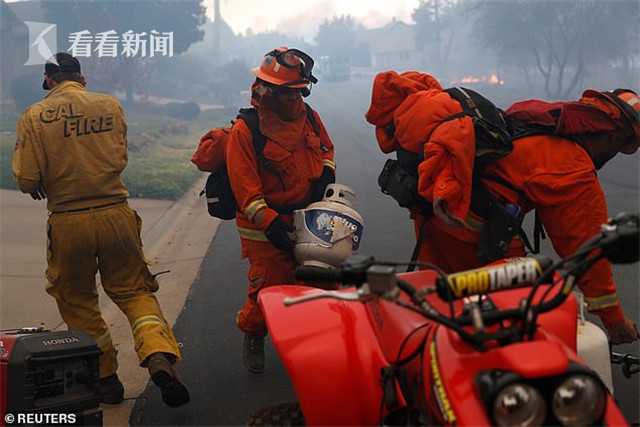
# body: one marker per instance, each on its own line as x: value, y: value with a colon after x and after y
x: 519, y: 273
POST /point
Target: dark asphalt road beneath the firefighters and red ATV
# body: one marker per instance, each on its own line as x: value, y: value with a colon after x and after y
x: 223, y: 393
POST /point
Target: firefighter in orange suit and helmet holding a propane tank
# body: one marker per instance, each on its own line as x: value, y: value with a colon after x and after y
x: 293, y: 170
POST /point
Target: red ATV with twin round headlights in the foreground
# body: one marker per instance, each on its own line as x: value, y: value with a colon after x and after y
x: 492, y: 346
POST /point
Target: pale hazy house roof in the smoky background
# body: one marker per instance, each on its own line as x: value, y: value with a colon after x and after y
x: 396, y: 36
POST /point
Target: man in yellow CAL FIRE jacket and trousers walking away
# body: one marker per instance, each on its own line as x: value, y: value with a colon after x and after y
x: 71, y: 149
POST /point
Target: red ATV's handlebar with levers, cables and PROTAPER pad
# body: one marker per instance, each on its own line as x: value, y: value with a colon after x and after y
x: 619, y: 241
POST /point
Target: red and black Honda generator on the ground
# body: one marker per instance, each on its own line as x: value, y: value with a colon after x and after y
x: 49, y: 378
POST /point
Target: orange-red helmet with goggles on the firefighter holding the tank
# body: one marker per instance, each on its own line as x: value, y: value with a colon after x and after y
x: 286, y: 67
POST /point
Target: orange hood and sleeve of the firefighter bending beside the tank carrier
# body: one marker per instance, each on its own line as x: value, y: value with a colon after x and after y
x: 418, y: 109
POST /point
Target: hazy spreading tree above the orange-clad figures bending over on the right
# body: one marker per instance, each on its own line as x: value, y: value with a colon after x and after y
x: 560, y: 40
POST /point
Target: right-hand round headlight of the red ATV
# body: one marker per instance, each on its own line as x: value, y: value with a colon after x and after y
x: 579, y: 401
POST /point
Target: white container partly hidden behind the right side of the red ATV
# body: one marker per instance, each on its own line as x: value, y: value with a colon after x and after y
x: 593, y: 346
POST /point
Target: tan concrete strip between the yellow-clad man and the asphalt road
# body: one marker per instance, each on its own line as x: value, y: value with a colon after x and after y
x: 181, y: 238
